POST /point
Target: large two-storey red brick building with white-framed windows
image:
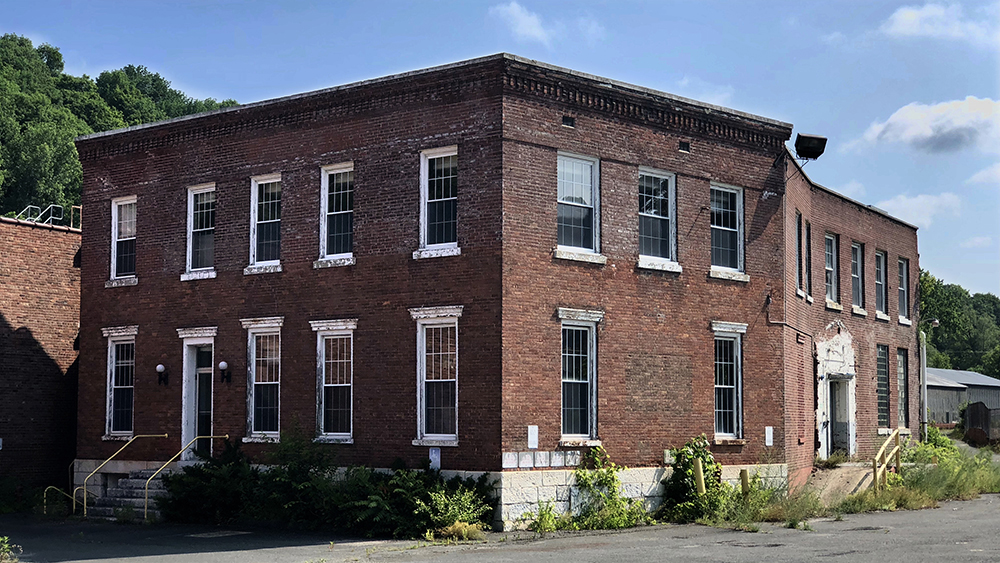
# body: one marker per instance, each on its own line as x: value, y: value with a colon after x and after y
x: 451, y: 263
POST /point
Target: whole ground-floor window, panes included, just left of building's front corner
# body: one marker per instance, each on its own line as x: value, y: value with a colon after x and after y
x: 437, y: 374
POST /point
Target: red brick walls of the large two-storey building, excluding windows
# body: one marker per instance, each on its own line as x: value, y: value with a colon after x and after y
x: 654, y: 340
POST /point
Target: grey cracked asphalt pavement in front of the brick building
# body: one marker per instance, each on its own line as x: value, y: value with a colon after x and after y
x: 954, y: 532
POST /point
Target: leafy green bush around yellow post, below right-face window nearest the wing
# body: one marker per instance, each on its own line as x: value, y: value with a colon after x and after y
x: 681, y: 502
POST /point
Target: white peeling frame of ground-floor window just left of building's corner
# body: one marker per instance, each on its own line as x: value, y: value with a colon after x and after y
x: 434, y: 317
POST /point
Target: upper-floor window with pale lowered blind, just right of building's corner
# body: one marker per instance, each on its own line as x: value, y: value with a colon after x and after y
x: 578, y: 220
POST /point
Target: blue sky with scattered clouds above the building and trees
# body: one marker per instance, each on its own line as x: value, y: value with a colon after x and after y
x: 908, y: 93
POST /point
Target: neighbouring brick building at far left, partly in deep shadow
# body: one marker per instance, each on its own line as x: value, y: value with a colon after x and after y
x: 39, y: 321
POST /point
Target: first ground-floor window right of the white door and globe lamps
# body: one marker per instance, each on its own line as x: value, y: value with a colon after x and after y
x: 263, y: 398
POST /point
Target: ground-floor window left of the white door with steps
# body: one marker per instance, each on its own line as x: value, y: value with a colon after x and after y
x: 121, y: 380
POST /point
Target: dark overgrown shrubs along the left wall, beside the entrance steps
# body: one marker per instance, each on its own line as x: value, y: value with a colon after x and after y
x: 301, y: 488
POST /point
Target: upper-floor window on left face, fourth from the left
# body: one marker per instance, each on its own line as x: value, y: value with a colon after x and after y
x: 337, y: 211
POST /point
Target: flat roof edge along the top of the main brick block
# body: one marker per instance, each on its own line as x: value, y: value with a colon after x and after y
x: 459, y: 64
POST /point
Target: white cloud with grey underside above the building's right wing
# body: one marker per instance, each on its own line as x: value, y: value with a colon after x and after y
x: 943, y: 127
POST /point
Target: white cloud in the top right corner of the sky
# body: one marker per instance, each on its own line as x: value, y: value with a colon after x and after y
x: 940, y: 21
